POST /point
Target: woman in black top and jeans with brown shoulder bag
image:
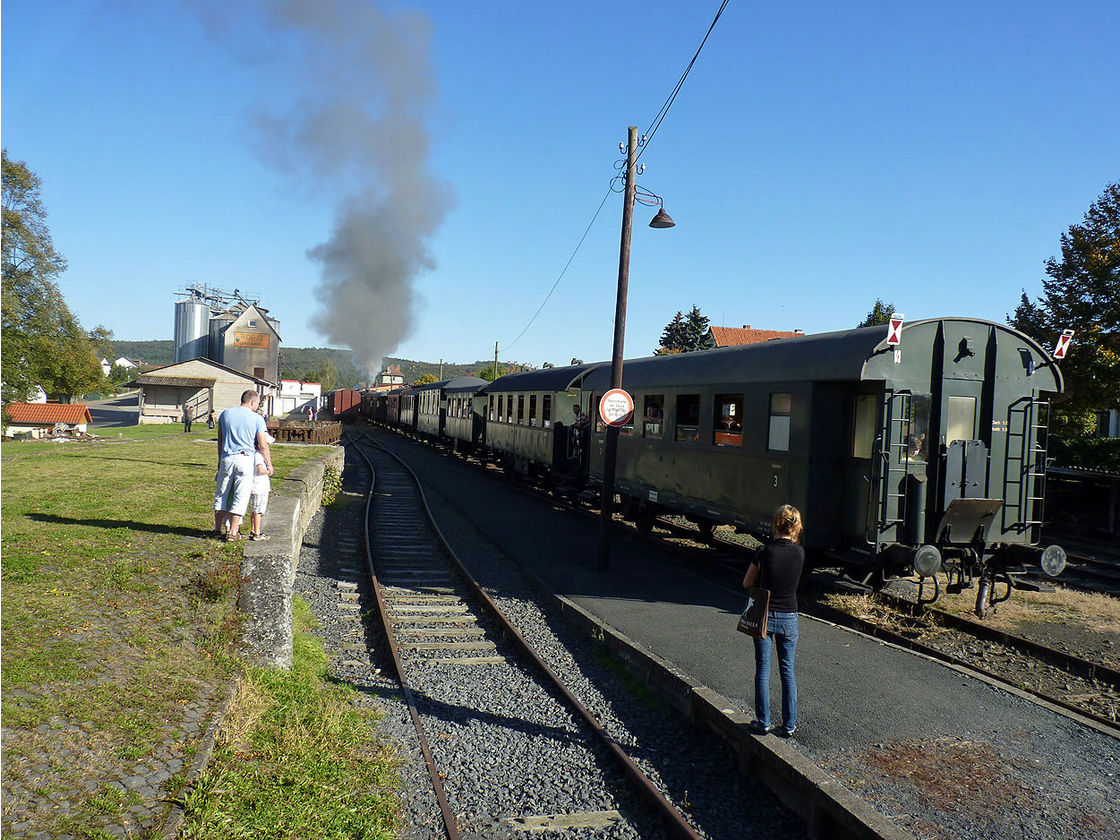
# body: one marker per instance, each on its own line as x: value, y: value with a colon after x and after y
x: 779, y: 565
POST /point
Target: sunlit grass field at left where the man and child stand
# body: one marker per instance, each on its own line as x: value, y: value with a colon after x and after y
x: 118, y: 618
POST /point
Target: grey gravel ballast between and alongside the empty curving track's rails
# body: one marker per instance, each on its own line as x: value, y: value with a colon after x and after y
x: 509, y: 750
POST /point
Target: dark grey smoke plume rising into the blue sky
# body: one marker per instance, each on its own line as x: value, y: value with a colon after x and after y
x: 359, y: 118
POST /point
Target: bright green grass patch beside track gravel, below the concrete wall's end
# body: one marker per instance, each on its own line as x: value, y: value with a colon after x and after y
x: 297, y: 759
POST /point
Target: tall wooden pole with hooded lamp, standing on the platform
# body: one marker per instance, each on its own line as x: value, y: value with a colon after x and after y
x: 660, y: 221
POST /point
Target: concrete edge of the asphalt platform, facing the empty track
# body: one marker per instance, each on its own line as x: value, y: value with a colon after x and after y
x: 829, y: 809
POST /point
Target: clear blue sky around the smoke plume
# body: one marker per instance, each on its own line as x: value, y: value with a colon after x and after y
x: 820, y: 155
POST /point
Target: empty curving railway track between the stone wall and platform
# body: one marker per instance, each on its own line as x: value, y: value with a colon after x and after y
x: 554, y: 766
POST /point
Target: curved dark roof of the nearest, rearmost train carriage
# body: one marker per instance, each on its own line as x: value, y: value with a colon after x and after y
x: 843, y: 357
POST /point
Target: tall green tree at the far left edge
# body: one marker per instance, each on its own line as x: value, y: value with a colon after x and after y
x: 43, y: 342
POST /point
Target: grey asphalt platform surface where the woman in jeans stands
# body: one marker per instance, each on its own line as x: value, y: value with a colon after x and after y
x: 938, y: 751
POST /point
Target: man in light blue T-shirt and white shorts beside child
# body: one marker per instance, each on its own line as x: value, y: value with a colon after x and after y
x: 240, y: 433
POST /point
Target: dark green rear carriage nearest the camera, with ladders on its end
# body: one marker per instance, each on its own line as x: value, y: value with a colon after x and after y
x: 900, y: 459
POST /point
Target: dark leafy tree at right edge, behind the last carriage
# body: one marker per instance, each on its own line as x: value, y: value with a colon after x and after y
x: 1082, y: 293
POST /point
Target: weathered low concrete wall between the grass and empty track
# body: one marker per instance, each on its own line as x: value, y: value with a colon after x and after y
x: 268, y: 570
